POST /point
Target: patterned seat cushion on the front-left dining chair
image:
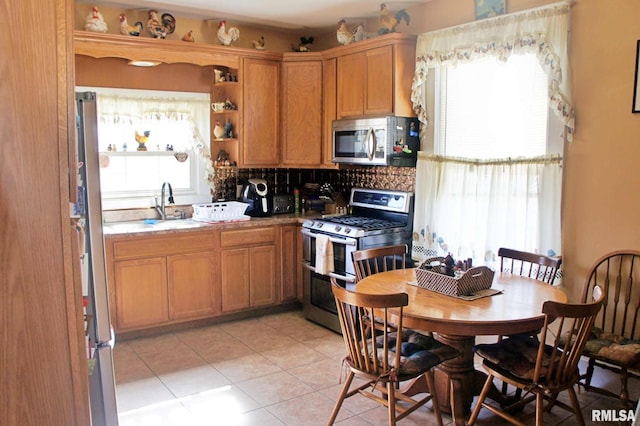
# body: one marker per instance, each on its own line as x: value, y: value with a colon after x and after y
x: 419, y: 352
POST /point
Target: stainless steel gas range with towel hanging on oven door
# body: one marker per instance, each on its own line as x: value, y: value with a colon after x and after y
x: 378, y: 218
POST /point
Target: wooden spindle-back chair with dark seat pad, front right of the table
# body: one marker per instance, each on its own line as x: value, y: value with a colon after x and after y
x: 543, y: 367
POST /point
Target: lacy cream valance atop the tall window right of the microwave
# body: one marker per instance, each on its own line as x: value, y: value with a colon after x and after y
x: 543, y: 31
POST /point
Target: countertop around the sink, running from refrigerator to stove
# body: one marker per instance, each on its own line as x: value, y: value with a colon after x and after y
x: 139, y: 227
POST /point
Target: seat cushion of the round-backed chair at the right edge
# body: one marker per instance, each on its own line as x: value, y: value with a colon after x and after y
x: 614, y: 348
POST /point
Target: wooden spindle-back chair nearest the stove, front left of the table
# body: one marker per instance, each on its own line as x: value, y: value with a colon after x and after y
x: 380, y: 358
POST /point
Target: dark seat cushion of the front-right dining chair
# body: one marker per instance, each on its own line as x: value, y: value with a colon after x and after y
x: 515, y: 356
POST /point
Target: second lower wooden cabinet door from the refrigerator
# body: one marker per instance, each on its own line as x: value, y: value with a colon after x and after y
x: 191, y: 279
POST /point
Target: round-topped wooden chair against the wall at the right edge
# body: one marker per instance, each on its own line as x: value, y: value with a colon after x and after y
x: 614, y: 343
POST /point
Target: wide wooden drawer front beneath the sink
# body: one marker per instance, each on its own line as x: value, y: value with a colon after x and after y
x: 164, y: 245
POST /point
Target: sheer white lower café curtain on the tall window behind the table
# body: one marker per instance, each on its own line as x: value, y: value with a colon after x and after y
x: 470, y: 208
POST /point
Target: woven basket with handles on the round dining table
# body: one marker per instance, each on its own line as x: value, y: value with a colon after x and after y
x: 431, y: 276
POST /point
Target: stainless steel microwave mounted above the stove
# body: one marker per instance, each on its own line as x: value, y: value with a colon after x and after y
x: 382, y: 141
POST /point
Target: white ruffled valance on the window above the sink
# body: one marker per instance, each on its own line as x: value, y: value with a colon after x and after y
x: 129, y: 110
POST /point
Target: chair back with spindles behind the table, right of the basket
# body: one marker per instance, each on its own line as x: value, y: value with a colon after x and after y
x: 532, y: 265
